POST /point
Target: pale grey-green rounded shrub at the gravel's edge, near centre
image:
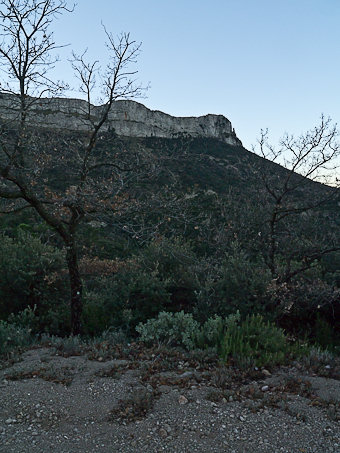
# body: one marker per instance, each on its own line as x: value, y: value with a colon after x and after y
x: 171, y: 329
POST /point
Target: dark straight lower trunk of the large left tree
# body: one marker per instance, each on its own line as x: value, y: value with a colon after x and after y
x: 76, y: 288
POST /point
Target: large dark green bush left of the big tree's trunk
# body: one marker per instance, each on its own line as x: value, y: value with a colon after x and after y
x: 31, y: 275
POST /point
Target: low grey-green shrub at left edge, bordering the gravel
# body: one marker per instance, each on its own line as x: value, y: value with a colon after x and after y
x: 13, y: 337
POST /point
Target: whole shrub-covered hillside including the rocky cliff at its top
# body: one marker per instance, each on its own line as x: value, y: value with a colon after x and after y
x: 184, y: 220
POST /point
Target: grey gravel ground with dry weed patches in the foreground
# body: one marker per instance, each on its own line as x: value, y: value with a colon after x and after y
x: 51, y: 403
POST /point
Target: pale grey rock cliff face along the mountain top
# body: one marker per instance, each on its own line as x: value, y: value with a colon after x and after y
x: 127, y: 118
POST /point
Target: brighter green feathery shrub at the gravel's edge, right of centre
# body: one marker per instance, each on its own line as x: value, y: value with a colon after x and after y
x: 254, y: 341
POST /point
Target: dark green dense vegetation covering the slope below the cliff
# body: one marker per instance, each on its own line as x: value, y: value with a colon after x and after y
x: 195, y: 239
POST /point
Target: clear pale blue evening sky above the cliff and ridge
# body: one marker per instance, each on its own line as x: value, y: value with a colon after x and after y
x: 261, y: 63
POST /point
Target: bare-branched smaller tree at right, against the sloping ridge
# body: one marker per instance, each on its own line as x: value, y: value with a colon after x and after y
x: 297, y: 204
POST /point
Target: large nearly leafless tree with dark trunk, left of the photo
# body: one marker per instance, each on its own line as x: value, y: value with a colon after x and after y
x: 94, y: 175
